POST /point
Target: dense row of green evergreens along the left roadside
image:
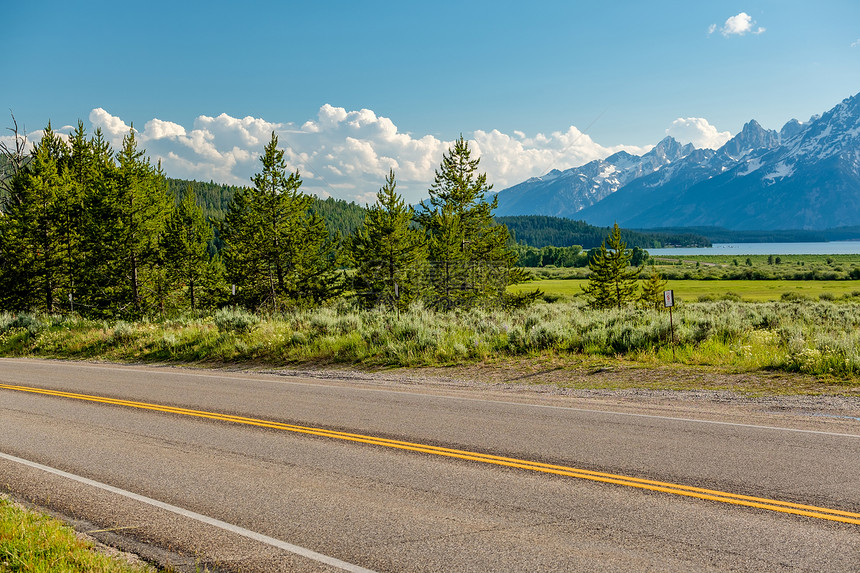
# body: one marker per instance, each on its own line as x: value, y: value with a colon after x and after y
x: 106, y: 233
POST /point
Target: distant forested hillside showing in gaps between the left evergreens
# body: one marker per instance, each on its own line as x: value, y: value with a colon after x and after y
x: 341, y: 217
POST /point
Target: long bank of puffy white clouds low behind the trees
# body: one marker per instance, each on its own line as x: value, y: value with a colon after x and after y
x: 344, y: 153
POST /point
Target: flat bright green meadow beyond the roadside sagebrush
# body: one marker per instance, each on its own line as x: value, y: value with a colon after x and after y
x: 691, y: 290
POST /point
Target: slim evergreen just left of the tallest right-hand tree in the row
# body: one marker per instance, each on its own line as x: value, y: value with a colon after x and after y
x: 388, y: 254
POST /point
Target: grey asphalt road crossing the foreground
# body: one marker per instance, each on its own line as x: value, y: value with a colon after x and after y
x: 278, y: 500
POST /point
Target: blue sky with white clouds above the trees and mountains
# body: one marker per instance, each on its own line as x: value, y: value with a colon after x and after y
x: 353, y: 88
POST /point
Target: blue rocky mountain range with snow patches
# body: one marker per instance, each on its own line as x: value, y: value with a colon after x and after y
x: 805, y: 176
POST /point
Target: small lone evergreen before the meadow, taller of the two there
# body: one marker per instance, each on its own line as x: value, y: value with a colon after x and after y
x: 612, y: 282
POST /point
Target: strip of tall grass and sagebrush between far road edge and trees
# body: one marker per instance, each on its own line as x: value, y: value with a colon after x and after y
x: 814, y: 337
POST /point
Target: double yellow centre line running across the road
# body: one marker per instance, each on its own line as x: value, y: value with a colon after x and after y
x: 652, y: 485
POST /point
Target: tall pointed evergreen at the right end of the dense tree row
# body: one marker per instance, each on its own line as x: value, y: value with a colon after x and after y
x: 473, y: 261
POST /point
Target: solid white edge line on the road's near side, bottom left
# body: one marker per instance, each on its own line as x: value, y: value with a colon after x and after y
x: 308, y: 553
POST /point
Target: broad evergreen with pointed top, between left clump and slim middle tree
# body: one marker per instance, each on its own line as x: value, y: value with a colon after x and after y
x: 278, y: 251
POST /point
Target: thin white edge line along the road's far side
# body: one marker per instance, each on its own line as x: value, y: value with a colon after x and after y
x: 266, y: 378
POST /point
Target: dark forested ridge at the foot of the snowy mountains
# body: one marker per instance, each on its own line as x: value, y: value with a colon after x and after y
x: 542, y: 231
